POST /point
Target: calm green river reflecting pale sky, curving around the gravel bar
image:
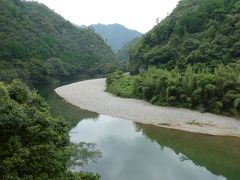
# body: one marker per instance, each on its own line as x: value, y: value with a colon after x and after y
x: 145, y: 152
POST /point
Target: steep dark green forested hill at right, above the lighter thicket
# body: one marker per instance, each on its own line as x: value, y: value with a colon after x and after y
x: 199, y: 32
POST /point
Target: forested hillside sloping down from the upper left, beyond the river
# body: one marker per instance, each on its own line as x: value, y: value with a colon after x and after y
x: 40, y: 47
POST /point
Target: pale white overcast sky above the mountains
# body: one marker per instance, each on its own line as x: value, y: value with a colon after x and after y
x: 140, y: 15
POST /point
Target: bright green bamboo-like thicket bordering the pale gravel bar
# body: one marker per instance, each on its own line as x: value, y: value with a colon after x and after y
x: 217, y: 92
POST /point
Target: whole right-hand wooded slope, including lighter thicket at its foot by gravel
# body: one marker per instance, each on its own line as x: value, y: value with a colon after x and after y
x: 195, y: 52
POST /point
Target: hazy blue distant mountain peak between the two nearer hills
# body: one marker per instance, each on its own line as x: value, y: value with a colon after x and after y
x: 115, y: 35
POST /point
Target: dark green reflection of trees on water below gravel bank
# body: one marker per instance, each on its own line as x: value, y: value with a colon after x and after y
x: 220, y: 155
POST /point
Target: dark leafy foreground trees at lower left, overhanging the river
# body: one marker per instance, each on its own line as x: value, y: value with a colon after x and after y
x: 35, y: 144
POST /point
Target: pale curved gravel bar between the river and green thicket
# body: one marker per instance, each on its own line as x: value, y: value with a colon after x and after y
x: 91, y: 95
